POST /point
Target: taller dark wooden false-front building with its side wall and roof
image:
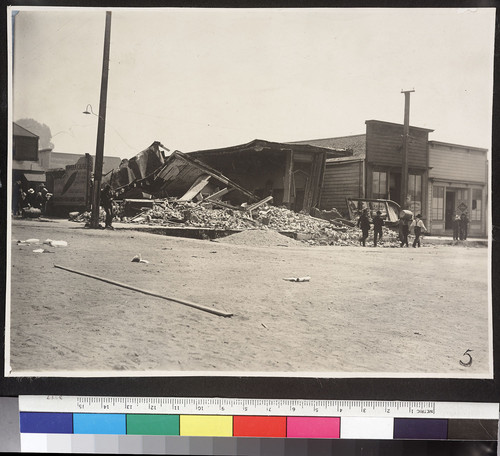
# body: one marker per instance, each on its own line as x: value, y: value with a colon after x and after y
x: 375, y: 167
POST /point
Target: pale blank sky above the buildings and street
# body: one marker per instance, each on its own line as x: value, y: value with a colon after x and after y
x: 196, y: 79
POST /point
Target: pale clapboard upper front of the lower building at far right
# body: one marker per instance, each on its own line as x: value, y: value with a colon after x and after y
x: 456, y: 163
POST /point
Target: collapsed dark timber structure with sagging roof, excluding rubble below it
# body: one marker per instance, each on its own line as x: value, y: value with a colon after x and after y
x: 291, y: 175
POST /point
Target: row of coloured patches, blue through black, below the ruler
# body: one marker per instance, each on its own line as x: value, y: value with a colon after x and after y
x: 257, y: 426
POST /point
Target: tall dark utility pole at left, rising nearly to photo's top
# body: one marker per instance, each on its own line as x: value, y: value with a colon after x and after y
x: 99, y: 153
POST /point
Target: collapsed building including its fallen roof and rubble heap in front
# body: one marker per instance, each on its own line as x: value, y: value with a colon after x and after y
x: 256, y: 186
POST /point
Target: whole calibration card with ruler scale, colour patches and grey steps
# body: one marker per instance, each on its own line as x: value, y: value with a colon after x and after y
x: 42, y: 427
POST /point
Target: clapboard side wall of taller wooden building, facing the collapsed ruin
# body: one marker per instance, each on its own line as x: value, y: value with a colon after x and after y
x: 341, y: 180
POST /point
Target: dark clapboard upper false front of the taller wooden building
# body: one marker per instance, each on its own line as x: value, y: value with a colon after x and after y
x: 384, y: 145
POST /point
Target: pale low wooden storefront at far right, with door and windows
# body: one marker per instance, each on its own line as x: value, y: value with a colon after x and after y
x: 458, y: 184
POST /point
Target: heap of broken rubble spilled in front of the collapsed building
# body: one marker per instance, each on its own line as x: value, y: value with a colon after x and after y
x: 308, y: 229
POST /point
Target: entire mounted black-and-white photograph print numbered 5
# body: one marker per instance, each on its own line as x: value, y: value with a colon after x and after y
x: 273, y: 192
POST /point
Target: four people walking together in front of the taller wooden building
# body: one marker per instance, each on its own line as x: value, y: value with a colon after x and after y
x: 407, y: 224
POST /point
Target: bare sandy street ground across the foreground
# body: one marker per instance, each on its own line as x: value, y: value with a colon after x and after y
x: 364, y: 310
